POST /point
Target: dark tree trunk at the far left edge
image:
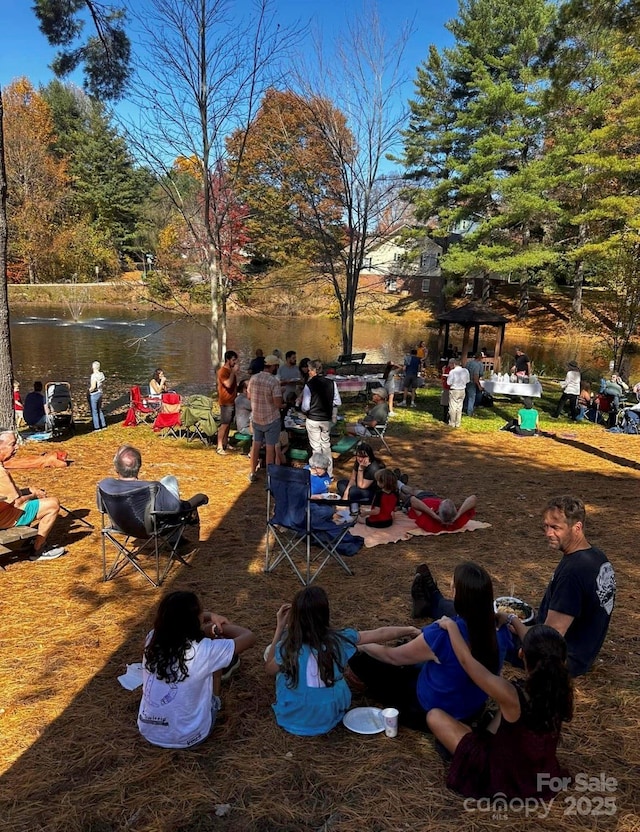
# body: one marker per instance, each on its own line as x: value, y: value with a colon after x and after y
x: 6, y: 371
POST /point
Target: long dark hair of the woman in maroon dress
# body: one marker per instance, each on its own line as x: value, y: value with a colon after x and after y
x: 548, y: 685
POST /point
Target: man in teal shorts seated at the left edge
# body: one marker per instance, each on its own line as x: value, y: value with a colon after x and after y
x: 26, y: 506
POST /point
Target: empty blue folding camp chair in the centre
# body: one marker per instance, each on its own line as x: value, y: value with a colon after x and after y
x: 292, y: 528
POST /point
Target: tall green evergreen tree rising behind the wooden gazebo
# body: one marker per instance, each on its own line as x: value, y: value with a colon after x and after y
x: 478, y: 116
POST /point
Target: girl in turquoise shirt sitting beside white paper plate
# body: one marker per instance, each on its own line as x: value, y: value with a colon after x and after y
x: 308, y: 656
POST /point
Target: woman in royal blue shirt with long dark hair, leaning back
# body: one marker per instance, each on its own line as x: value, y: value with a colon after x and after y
x: 425, y: 673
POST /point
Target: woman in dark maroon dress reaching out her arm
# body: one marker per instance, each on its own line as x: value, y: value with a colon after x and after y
x: 520, y: 744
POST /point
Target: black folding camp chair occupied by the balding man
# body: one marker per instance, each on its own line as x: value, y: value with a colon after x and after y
x: 135, y: 529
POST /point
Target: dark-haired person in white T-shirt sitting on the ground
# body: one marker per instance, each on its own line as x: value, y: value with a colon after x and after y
x: 183, y: 652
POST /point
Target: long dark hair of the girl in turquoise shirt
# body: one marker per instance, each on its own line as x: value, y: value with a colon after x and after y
x: 309, y: 624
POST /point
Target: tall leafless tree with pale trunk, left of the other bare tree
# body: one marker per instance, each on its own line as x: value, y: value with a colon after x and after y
x: 201, y: 72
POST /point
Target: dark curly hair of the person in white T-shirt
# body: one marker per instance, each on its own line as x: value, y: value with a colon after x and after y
x: 176, y: 627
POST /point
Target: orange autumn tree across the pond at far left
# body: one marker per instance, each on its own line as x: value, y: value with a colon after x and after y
x: 37, y: 180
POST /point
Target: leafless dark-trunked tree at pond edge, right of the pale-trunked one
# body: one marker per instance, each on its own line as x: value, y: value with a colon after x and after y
x: 363, y: 80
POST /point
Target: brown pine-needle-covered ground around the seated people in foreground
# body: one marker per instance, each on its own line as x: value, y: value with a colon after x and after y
x: 71, y: 756
